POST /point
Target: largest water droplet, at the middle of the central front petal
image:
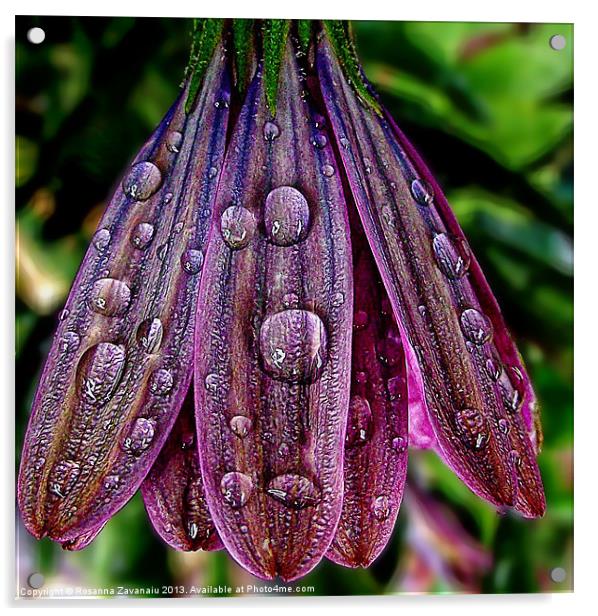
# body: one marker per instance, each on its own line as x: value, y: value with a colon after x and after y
x: 293, y: 344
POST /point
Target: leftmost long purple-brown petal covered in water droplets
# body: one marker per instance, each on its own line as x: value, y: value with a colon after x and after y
x: 120, y: 363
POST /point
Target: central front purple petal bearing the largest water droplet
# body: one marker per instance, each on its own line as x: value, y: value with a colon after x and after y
x: 273, y: 338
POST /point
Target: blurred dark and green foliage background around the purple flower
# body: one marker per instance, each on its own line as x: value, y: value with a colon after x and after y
x: 490, y: 108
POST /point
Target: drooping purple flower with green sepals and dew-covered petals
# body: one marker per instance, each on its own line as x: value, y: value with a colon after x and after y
x: 282, y: 245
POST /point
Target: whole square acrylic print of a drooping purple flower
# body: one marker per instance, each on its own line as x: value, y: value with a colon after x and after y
x: 256, y: 352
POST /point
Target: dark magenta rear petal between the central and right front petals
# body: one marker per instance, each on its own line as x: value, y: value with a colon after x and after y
x: 376, y: 442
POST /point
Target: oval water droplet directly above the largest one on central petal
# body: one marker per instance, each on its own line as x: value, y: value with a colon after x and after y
x: 286, y: 216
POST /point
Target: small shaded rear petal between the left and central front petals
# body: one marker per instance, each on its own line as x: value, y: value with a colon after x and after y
x: 173, y: 491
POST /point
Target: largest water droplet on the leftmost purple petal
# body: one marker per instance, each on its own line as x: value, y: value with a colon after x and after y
x: 99, y: 372
